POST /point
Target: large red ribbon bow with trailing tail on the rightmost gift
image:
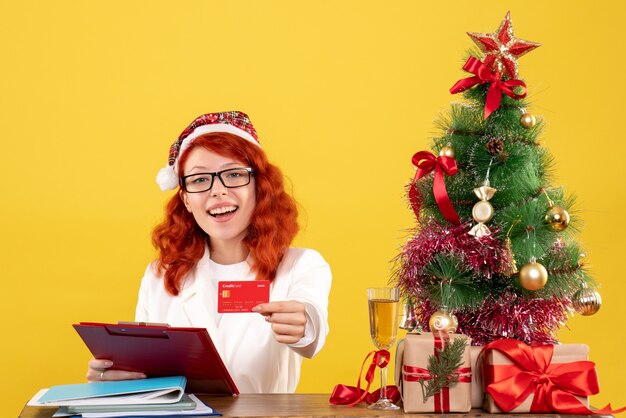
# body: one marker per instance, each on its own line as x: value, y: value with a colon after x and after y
x: 554, y: 386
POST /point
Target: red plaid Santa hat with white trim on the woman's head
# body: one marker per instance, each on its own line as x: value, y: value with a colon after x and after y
x: 236, y: 123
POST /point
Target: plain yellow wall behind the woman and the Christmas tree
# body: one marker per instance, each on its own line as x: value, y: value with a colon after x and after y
x: 342, y: 94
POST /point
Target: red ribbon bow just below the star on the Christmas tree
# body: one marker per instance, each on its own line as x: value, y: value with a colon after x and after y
x: 484, y: 75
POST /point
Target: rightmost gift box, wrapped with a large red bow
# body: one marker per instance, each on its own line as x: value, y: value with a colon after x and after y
x: 518, y: 378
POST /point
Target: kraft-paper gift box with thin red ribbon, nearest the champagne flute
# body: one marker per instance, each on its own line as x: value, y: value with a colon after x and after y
x: 412, y: 359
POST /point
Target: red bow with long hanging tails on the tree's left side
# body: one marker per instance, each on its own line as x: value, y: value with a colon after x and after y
x: 426, y: 162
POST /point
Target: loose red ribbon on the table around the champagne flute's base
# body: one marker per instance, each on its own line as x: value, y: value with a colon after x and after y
x: 350, y: 395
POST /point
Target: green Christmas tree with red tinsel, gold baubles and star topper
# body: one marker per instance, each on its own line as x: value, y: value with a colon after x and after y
x: 494, y: 253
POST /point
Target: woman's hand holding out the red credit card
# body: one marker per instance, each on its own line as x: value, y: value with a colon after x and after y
x: 288, y: 319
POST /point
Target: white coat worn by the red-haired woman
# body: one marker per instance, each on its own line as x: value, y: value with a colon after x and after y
x: 256, y: 362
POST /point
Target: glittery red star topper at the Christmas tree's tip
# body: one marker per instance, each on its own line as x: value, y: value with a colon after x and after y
x: 502, y: 48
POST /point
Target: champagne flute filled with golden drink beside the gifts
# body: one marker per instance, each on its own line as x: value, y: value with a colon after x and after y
x: 383, y: 308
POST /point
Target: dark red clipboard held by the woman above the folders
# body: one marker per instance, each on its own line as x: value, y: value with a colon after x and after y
x: 161, y: 350
